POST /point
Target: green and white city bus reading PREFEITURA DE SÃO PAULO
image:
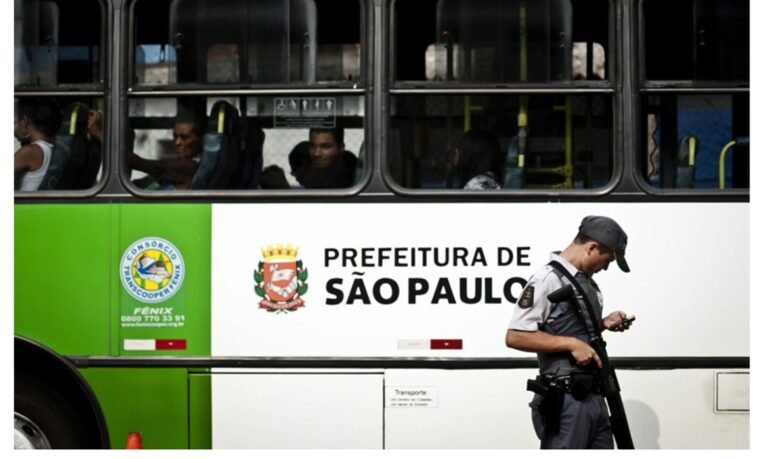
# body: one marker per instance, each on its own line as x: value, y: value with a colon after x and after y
x: 259, y: 302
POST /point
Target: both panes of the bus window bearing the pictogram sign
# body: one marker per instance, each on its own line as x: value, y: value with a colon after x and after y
x: 258, y: 57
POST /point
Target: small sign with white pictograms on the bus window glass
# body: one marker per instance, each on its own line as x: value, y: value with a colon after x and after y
x: 303, y: 112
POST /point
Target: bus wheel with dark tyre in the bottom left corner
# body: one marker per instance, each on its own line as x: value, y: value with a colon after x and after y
x: 43, y: 418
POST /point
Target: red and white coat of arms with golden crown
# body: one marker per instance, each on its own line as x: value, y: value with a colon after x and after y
x: 281, y: 279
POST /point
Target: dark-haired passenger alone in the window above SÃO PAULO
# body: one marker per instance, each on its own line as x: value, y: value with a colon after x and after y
x: 478, y: 161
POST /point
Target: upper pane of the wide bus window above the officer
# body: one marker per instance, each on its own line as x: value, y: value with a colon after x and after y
x: 495, y: 41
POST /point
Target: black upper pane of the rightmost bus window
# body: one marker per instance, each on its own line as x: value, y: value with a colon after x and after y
x: 702, y: 40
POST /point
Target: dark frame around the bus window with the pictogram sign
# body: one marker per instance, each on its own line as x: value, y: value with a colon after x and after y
x: 361, y: 88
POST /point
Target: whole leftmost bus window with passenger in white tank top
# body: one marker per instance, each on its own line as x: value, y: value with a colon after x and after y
x: 59, y: 107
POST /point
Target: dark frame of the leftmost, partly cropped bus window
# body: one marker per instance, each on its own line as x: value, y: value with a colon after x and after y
x: 91, y: 90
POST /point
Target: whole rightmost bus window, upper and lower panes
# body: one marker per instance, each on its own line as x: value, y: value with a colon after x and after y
x: 694, y: 111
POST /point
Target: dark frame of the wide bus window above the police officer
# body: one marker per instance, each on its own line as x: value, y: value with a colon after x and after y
x: 610, y: 87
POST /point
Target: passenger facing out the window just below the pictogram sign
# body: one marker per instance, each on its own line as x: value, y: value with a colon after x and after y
x: 331, y: 165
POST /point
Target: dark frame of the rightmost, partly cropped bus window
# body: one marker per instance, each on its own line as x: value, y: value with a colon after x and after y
x: 646, y: 87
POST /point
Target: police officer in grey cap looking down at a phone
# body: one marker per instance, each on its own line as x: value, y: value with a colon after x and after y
x: 574, y: 415
